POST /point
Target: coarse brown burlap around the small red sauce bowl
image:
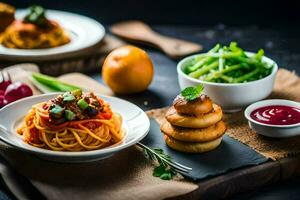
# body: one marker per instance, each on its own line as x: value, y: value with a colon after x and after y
x: 287, y: 86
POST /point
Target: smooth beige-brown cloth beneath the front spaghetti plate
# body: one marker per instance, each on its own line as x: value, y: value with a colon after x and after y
x: 126, y: 175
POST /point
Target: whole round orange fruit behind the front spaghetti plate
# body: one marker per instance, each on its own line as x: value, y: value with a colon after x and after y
x: 127, y: 69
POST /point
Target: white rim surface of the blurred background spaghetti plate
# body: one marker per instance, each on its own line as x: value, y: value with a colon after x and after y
x: 66, y: 19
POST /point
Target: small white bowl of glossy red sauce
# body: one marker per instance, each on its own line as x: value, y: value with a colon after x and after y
x: 274, y: 118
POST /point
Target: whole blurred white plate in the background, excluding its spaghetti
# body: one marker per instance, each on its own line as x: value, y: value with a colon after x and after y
x: 85, y: 33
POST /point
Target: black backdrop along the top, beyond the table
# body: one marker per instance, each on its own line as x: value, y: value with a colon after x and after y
x: 185, y: 12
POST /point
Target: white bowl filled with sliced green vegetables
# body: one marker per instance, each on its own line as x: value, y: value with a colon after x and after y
x: 243, y: 78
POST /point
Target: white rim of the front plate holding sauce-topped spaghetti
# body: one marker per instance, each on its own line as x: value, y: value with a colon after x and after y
x: 107, y: 150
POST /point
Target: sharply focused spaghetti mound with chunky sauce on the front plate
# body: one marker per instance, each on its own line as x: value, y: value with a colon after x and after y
x: 72, y: 122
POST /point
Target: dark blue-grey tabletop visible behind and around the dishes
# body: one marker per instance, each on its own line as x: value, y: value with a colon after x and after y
x: 280, y: 44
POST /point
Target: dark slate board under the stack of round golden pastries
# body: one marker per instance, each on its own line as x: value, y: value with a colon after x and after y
x: 230, y: 155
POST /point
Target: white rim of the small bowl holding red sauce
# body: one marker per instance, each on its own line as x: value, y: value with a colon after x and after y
x: 269, y: 102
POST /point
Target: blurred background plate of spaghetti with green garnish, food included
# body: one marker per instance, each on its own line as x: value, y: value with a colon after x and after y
x: 62, y: 34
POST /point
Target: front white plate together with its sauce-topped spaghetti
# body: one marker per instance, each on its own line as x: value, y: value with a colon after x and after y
x: 73, y: 126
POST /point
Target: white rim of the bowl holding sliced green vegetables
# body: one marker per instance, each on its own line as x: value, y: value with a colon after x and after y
x: 264, y: 58
